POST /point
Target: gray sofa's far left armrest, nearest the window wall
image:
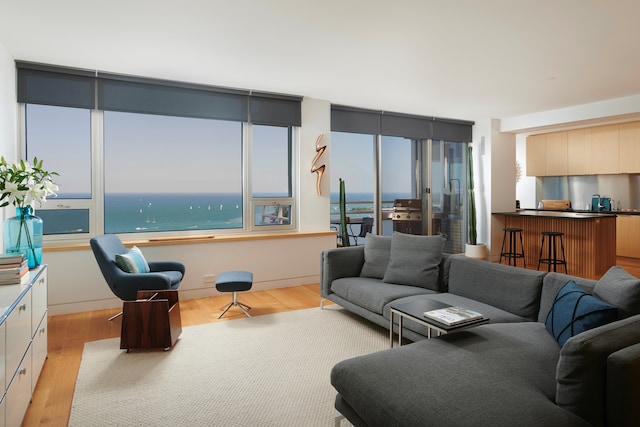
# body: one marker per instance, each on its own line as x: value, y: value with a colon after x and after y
x: 337, y: 263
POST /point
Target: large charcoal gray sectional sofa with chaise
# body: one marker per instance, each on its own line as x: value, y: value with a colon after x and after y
x: 510, y: 372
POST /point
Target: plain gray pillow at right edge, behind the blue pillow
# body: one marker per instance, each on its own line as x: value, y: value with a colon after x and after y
x: 619, y: 288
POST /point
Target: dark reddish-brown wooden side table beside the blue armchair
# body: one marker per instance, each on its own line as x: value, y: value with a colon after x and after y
x: 152, y: 321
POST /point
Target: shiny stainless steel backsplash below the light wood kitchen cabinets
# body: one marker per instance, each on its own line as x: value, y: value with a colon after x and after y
x: 624, y: 190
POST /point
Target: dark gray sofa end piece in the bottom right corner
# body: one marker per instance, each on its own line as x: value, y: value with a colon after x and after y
x: 623, y: 387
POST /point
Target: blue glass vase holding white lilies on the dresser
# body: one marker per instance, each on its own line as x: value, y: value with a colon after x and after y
x: 23, y: 234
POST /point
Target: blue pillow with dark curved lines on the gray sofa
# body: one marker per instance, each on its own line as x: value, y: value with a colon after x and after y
x: 575, y: 311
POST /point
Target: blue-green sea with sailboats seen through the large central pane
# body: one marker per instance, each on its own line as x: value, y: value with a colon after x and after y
x: 140, y: 213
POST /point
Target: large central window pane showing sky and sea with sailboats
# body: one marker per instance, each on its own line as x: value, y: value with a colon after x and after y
x: 164, y: 173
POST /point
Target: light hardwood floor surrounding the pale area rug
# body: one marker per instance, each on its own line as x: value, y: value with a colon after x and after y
x: 51, y: 403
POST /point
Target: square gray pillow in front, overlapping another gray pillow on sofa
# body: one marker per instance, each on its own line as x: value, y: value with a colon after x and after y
x: 415, y: 260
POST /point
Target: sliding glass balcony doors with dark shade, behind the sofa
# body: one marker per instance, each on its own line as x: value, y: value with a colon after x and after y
x: 401, y: 157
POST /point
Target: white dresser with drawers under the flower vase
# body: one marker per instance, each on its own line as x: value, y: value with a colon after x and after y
x: 23, y: 344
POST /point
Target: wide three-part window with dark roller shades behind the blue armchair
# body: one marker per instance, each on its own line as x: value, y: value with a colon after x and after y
x: 138, y: 155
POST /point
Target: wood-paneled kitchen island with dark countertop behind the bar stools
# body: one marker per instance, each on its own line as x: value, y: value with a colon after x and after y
x: 589, y: 238
